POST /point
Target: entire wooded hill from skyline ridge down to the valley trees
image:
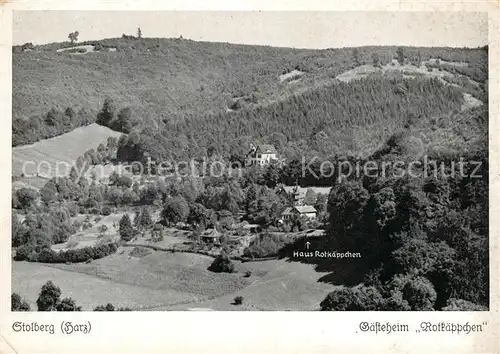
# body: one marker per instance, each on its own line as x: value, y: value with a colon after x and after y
x: 179, y: 90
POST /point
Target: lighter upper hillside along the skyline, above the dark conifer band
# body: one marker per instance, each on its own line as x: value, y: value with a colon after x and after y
x: 165, y: 81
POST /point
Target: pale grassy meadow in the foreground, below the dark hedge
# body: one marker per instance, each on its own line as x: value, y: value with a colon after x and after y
x: 176, y: 281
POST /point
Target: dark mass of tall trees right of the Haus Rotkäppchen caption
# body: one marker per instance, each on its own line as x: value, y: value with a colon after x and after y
x: 425, y: 240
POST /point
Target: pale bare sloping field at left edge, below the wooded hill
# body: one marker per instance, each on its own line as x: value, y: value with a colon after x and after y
x: 53, y: 156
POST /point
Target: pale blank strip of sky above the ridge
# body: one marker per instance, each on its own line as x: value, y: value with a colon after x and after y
x: 283, y: 29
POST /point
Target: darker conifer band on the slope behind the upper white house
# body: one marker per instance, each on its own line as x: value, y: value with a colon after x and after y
x: 336, y: 119
